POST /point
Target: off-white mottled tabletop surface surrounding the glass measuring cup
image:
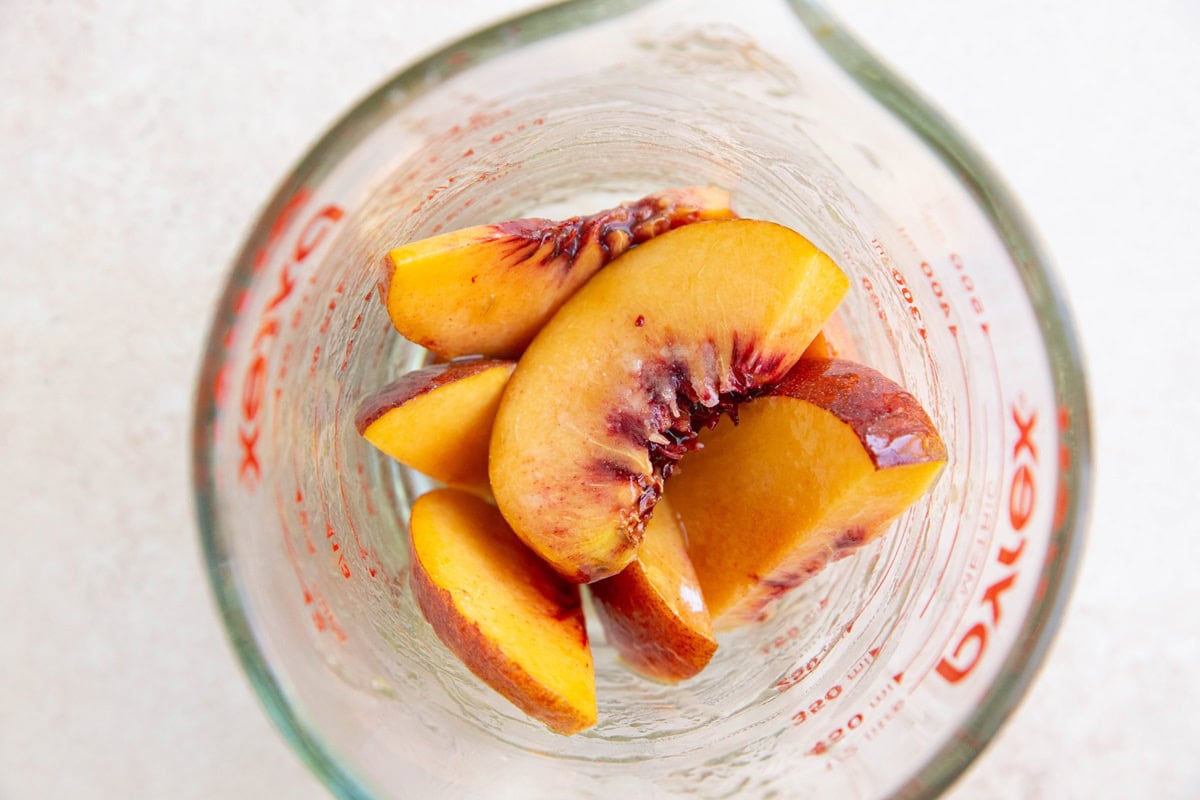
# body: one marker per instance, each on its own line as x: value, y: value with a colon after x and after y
x: 139, y: 140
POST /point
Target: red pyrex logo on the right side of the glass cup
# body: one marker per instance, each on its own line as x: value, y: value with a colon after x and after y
x: 1023, y: 497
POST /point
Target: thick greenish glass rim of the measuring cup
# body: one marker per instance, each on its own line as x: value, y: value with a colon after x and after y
x: 1029, y: 652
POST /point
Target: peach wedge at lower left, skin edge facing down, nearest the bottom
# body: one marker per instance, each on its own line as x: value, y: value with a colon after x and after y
x: 513, y: 621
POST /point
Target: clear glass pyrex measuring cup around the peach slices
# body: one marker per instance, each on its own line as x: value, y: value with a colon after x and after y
x: 884, y: 676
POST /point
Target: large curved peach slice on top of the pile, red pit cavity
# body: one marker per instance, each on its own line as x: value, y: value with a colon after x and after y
x: 616, y: 386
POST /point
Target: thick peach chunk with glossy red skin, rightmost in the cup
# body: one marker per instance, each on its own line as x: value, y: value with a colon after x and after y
x: 820, y: 467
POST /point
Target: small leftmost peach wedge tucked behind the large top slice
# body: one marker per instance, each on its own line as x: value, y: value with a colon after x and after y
x: 439, y: 420
